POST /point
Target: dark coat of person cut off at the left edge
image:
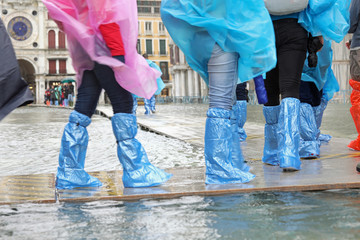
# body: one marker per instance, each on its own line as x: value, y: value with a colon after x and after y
x: 14, y: 91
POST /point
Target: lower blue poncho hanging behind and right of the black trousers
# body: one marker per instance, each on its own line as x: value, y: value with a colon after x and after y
x: 322, y: 74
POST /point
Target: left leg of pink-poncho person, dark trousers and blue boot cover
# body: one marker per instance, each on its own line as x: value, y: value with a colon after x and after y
x: 75, y: 138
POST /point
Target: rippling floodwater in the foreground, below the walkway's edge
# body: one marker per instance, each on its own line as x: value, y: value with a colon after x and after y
x: 307, y: 215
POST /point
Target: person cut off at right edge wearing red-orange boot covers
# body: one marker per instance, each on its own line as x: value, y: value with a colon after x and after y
x: 354, y: 46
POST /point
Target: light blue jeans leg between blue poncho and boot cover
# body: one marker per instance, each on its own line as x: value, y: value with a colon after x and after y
x: 223, y: 76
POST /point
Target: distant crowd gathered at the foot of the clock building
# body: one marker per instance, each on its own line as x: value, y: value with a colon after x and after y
x: 60, y: 95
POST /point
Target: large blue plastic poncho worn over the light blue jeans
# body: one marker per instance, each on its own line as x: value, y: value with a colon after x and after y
x: 244, y: 27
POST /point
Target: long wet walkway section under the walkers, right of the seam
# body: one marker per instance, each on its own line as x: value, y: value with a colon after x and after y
x: 315, y: 175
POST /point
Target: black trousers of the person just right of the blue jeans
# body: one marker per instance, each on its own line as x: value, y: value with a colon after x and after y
x: 291, y: 48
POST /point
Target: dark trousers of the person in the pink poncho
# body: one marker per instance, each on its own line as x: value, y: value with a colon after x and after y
x: 93, y: 81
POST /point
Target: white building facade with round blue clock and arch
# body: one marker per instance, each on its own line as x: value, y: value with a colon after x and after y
x: 39, y: 45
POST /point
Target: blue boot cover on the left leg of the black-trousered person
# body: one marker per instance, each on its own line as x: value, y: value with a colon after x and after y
x: 271, y: 150
